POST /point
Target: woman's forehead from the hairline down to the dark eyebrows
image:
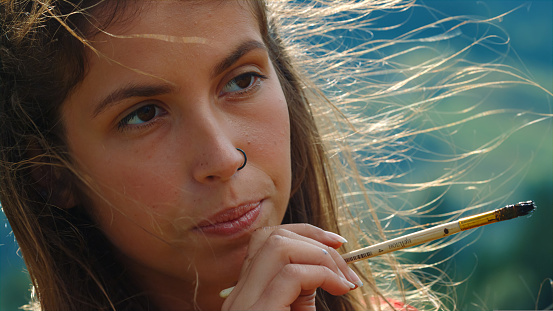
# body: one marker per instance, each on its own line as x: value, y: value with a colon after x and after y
x: 163, y: 39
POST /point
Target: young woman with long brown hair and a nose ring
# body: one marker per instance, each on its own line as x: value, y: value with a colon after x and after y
x: 155, y: 153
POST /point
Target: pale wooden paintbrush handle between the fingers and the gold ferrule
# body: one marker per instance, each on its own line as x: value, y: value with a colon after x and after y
x: 409, y: 240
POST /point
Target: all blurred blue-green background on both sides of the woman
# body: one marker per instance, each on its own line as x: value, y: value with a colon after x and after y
x: 508, y: 266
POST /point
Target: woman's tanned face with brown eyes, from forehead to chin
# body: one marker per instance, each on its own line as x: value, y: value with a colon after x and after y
x: 154, y: 127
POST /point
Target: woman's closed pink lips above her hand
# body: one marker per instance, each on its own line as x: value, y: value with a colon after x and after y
x: 231, y: 221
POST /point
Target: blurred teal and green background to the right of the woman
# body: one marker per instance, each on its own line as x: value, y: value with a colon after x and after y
x: 505, y: 266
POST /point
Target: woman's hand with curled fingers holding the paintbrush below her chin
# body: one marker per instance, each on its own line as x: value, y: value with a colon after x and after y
x: 285, y: 265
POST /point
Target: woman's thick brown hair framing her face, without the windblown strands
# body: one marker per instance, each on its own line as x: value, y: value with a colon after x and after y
x: 69, y: 260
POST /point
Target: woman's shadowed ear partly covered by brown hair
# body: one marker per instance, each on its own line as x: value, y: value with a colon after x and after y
x: 51, y: 180
